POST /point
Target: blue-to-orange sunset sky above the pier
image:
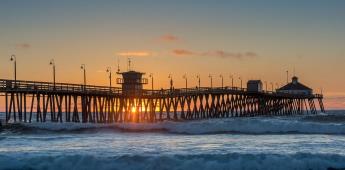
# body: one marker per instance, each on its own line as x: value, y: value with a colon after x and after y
x: 249, y: 39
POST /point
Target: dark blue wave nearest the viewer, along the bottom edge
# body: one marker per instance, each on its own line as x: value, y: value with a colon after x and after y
x: 167, y: 162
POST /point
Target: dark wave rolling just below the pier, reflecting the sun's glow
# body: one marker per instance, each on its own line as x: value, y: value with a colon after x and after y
x: 245, y: 125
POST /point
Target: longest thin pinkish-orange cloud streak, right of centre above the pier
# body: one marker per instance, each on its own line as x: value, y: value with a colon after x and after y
x: 216, y: 53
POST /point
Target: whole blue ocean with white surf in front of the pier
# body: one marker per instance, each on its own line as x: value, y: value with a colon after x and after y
x: 297, y: 142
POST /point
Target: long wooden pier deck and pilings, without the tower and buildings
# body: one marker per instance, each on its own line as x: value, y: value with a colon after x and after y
x: 28, y: 101
